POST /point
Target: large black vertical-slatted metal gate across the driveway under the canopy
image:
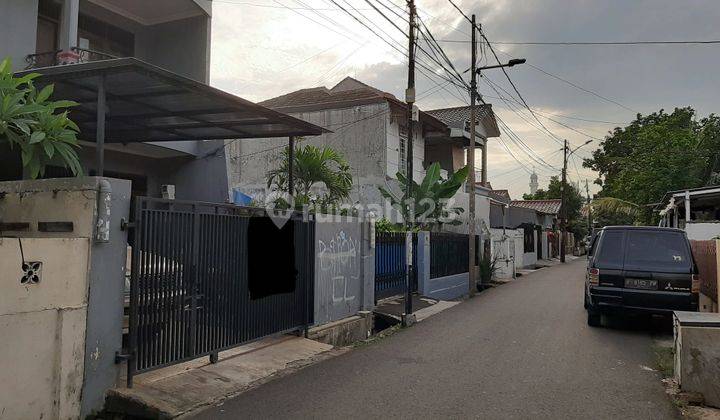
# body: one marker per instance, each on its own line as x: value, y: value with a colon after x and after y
x: 190, y: 291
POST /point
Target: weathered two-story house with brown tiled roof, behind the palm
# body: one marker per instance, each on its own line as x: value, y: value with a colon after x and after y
x: 366, y: 125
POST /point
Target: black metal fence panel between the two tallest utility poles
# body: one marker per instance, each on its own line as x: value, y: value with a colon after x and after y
x: 449, y: 254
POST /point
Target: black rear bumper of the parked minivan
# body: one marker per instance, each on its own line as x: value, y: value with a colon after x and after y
x: 614, y: 299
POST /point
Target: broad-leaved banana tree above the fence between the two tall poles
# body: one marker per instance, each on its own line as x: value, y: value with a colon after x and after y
x: 426, y: 204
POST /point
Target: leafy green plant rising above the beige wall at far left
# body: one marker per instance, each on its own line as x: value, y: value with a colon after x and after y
x: 31, y: 121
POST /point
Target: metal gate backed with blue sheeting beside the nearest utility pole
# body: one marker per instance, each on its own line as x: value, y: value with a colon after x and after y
x: 390, y: 268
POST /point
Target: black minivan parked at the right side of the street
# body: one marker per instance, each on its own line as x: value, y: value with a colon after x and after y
x: 640, y: 269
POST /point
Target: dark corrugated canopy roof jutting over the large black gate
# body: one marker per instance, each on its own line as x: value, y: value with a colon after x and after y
x: 148, y: 104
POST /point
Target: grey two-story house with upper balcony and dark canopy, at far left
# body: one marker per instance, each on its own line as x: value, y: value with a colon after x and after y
x: 164, y: 125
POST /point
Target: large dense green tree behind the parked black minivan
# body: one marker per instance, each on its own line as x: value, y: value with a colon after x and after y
x: 657, y: 153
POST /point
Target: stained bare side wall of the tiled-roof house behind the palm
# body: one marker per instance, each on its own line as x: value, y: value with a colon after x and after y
x: 363, y: 143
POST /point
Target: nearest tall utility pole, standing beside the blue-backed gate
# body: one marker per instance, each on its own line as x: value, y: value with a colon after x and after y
x: 410, y: 99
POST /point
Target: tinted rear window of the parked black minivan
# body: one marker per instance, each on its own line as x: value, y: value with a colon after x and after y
x: 653, y: 250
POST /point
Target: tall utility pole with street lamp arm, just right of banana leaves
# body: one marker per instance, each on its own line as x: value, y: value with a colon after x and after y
x: 471, y: 162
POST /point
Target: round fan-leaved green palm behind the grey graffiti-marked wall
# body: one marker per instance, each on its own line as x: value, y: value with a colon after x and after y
x: 313, y: 167
